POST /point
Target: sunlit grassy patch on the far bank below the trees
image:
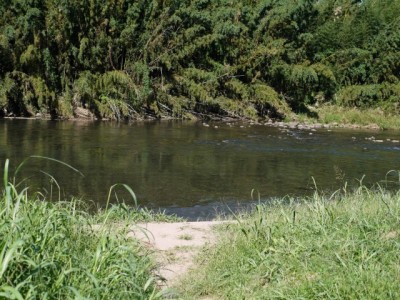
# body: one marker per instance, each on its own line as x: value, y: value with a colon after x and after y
x: 328, y: 114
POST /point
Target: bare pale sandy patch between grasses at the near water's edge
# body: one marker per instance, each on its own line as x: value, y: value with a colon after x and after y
x: 175, y: 244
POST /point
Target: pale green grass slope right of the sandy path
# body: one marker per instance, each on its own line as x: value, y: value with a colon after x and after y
x: 346, y: 248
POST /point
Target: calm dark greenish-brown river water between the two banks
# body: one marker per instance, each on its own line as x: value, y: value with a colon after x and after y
x: 189, y: 169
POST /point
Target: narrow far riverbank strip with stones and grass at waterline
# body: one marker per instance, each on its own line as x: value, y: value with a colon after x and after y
x: 327, y: 116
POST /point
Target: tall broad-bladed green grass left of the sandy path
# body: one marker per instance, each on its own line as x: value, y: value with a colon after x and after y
x: 54, y: 251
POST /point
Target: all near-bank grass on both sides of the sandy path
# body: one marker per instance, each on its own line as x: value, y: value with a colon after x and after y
x: 343, y: 245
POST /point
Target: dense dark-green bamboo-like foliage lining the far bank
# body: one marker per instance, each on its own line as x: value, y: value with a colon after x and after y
x: 125, y: 58
